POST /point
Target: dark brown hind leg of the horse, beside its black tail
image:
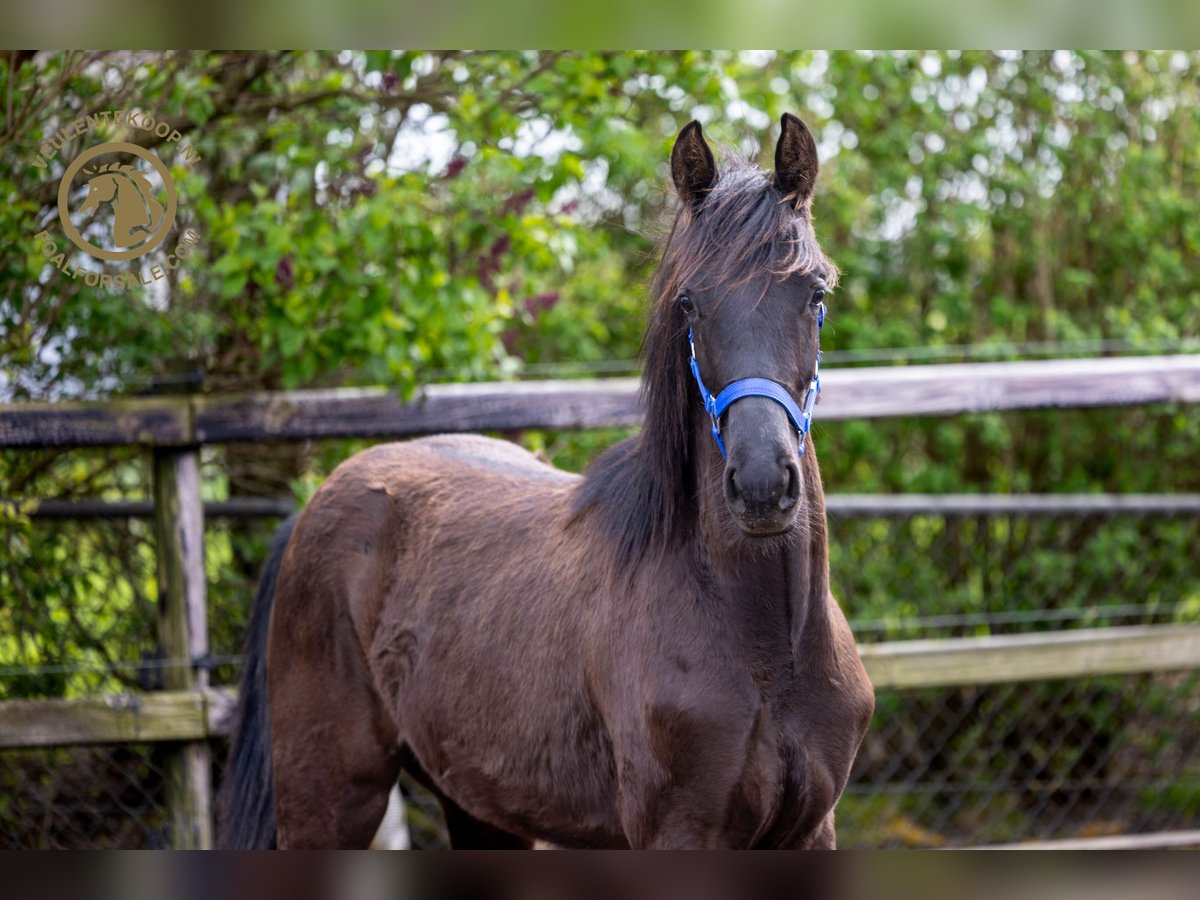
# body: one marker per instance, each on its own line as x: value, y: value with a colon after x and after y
x: 335, y: 753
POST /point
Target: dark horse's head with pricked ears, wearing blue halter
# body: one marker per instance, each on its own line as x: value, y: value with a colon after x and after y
x: 745, y: 279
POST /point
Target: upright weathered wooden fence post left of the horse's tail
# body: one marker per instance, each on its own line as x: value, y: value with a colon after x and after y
x: 183, y: 634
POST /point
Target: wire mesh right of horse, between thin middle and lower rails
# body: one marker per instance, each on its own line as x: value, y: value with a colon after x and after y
x: 962, y: 568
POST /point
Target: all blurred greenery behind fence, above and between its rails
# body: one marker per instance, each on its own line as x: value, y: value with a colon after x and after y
x: 399, y: 219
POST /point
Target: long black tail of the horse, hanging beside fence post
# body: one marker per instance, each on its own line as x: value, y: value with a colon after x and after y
x: 248, y: 800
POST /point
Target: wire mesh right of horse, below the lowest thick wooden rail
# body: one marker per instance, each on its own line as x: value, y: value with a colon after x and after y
x: 1040, y: 760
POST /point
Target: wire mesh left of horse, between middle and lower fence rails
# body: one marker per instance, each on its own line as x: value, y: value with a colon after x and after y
x: 87, y: 625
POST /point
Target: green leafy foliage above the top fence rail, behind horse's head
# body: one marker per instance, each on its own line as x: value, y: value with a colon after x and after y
x: 969, y: 197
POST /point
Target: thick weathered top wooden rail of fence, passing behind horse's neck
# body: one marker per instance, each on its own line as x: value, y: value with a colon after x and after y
x: 573, y: 405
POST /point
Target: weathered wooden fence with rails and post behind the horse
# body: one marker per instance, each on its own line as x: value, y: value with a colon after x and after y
x: 189, y: 712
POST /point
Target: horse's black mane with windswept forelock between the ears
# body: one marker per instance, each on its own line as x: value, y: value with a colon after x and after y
x: 743, y: 231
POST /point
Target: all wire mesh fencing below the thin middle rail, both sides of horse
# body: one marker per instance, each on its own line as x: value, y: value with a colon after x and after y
x: 940, y: 767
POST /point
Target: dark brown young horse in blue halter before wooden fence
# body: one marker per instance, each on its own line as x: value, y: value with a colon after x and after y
x: 647, y: 656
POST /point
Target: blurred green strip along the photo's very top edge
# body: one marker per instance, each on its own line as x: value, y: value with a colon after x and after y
x: 620, y: 23
